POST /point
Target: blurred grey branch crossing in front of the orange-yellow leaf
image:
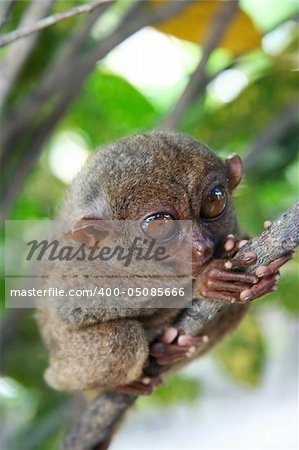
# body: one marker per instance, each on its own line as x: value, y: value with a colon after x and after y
x: 216, y: 32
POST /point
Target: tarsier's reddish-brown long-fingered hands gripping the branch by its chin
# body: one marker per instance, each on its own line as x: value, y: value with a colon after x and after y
x: 221, y: 282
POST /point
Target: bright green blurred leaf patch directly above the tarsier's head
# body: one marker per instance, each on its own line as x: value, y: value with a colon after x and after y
x: 105, y: 119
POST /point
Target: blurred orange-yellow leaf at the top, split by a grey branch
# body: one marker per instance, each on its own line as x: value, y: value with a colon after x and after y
x: 192, y: 24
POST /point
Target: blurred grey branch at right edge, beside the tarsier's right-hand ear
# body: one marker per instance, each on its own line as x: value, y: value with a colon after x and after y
x: 282, y: 123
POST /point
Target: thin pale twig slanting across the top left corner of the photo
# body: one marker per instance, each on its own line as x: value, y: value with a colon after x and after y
x: 48, y: 21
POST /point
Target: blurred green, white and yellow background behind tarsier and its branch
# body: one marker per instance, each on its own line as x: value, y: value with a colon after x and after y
x: 223, y: 72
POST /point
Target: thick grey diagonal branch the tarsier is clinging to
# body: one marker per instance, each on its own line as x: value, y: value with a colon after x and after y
x: 95, y: 428
